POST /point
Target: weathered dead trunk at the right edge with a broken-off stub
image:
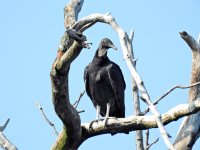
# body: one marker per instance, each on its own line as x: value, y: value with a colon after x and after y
x: 190, y: 129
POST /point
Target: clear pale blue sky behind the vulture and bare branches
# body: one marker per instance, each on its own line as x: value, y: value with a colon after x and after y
x: 30, y: 32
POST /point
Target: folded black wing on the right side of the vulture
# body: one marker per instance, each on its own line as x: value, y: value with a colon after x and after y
x: 118, y: 85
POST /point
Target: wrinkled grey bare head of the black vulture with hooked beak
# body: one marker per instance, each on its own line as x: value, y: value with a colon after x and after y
x: 104, y: 45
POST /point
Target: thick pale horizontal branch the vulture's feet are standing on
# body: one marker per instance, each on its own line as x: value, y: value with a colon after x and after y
x: 132, y: 123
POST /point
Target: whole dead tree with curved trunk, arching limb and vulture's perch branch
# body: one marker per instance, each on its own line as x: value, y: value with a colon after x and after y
x: 73, y: 133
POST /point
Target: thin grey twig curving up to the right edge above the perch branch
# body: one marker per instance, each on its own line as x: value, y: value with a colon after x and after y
x: 169, y: 91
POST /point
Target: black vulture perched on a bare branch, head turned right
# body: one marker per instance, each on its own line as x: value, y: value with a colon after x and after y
x: 104, y: 83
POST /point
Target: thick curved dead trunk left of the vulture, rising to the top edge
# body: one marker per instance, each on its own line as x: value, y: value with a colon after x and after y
x: 71, y: 133
